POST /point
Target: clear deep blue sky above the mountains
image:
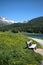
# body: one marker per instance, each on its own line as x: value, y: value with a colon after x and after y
x: 21, y: 10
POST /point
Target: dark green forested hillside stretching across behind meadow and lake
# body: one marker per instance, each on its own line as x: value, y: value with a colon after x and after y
x: 33, y: 26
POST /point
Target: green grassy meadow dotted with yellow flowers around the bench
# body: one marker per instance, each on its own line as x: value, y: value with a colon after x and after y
x: 13, y: 50
